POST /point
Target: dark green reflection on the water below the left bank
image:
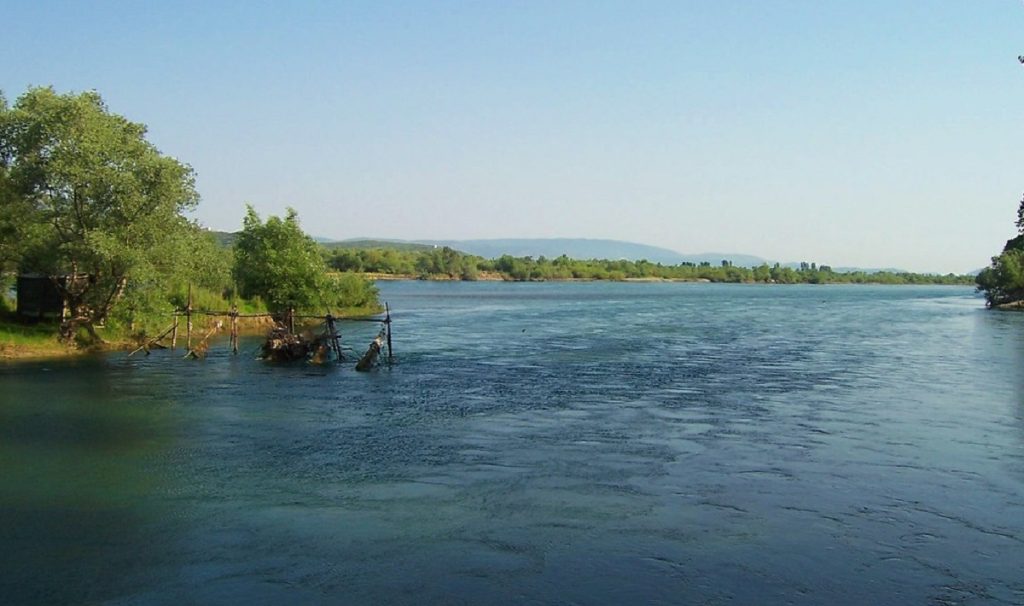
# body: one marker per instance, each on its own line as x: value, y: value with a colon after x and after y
x: 76, y: 496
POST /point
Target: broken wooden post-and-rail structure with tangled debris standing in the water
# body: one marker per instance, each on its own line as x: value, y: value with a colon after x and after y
x: 284, y: 343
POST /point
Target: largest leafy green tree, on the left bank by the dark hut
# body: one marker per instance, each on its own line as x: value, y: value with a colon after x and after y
x: 89, y: 199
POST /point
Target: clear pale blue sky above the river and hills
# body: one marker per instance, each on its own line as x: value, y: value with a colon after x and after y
x: 870, y: 134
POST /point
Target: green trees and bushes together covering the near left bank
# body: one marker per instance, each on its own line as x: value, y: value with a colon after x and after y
x: 89, y: 202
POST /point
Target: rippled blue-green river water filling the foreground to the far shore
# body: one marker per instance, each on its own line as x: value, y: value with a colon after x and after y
x: 540, y: 444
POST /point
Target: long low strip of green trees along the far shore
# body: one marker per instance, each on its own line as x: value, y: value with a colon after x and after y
x: 446, y: 264
